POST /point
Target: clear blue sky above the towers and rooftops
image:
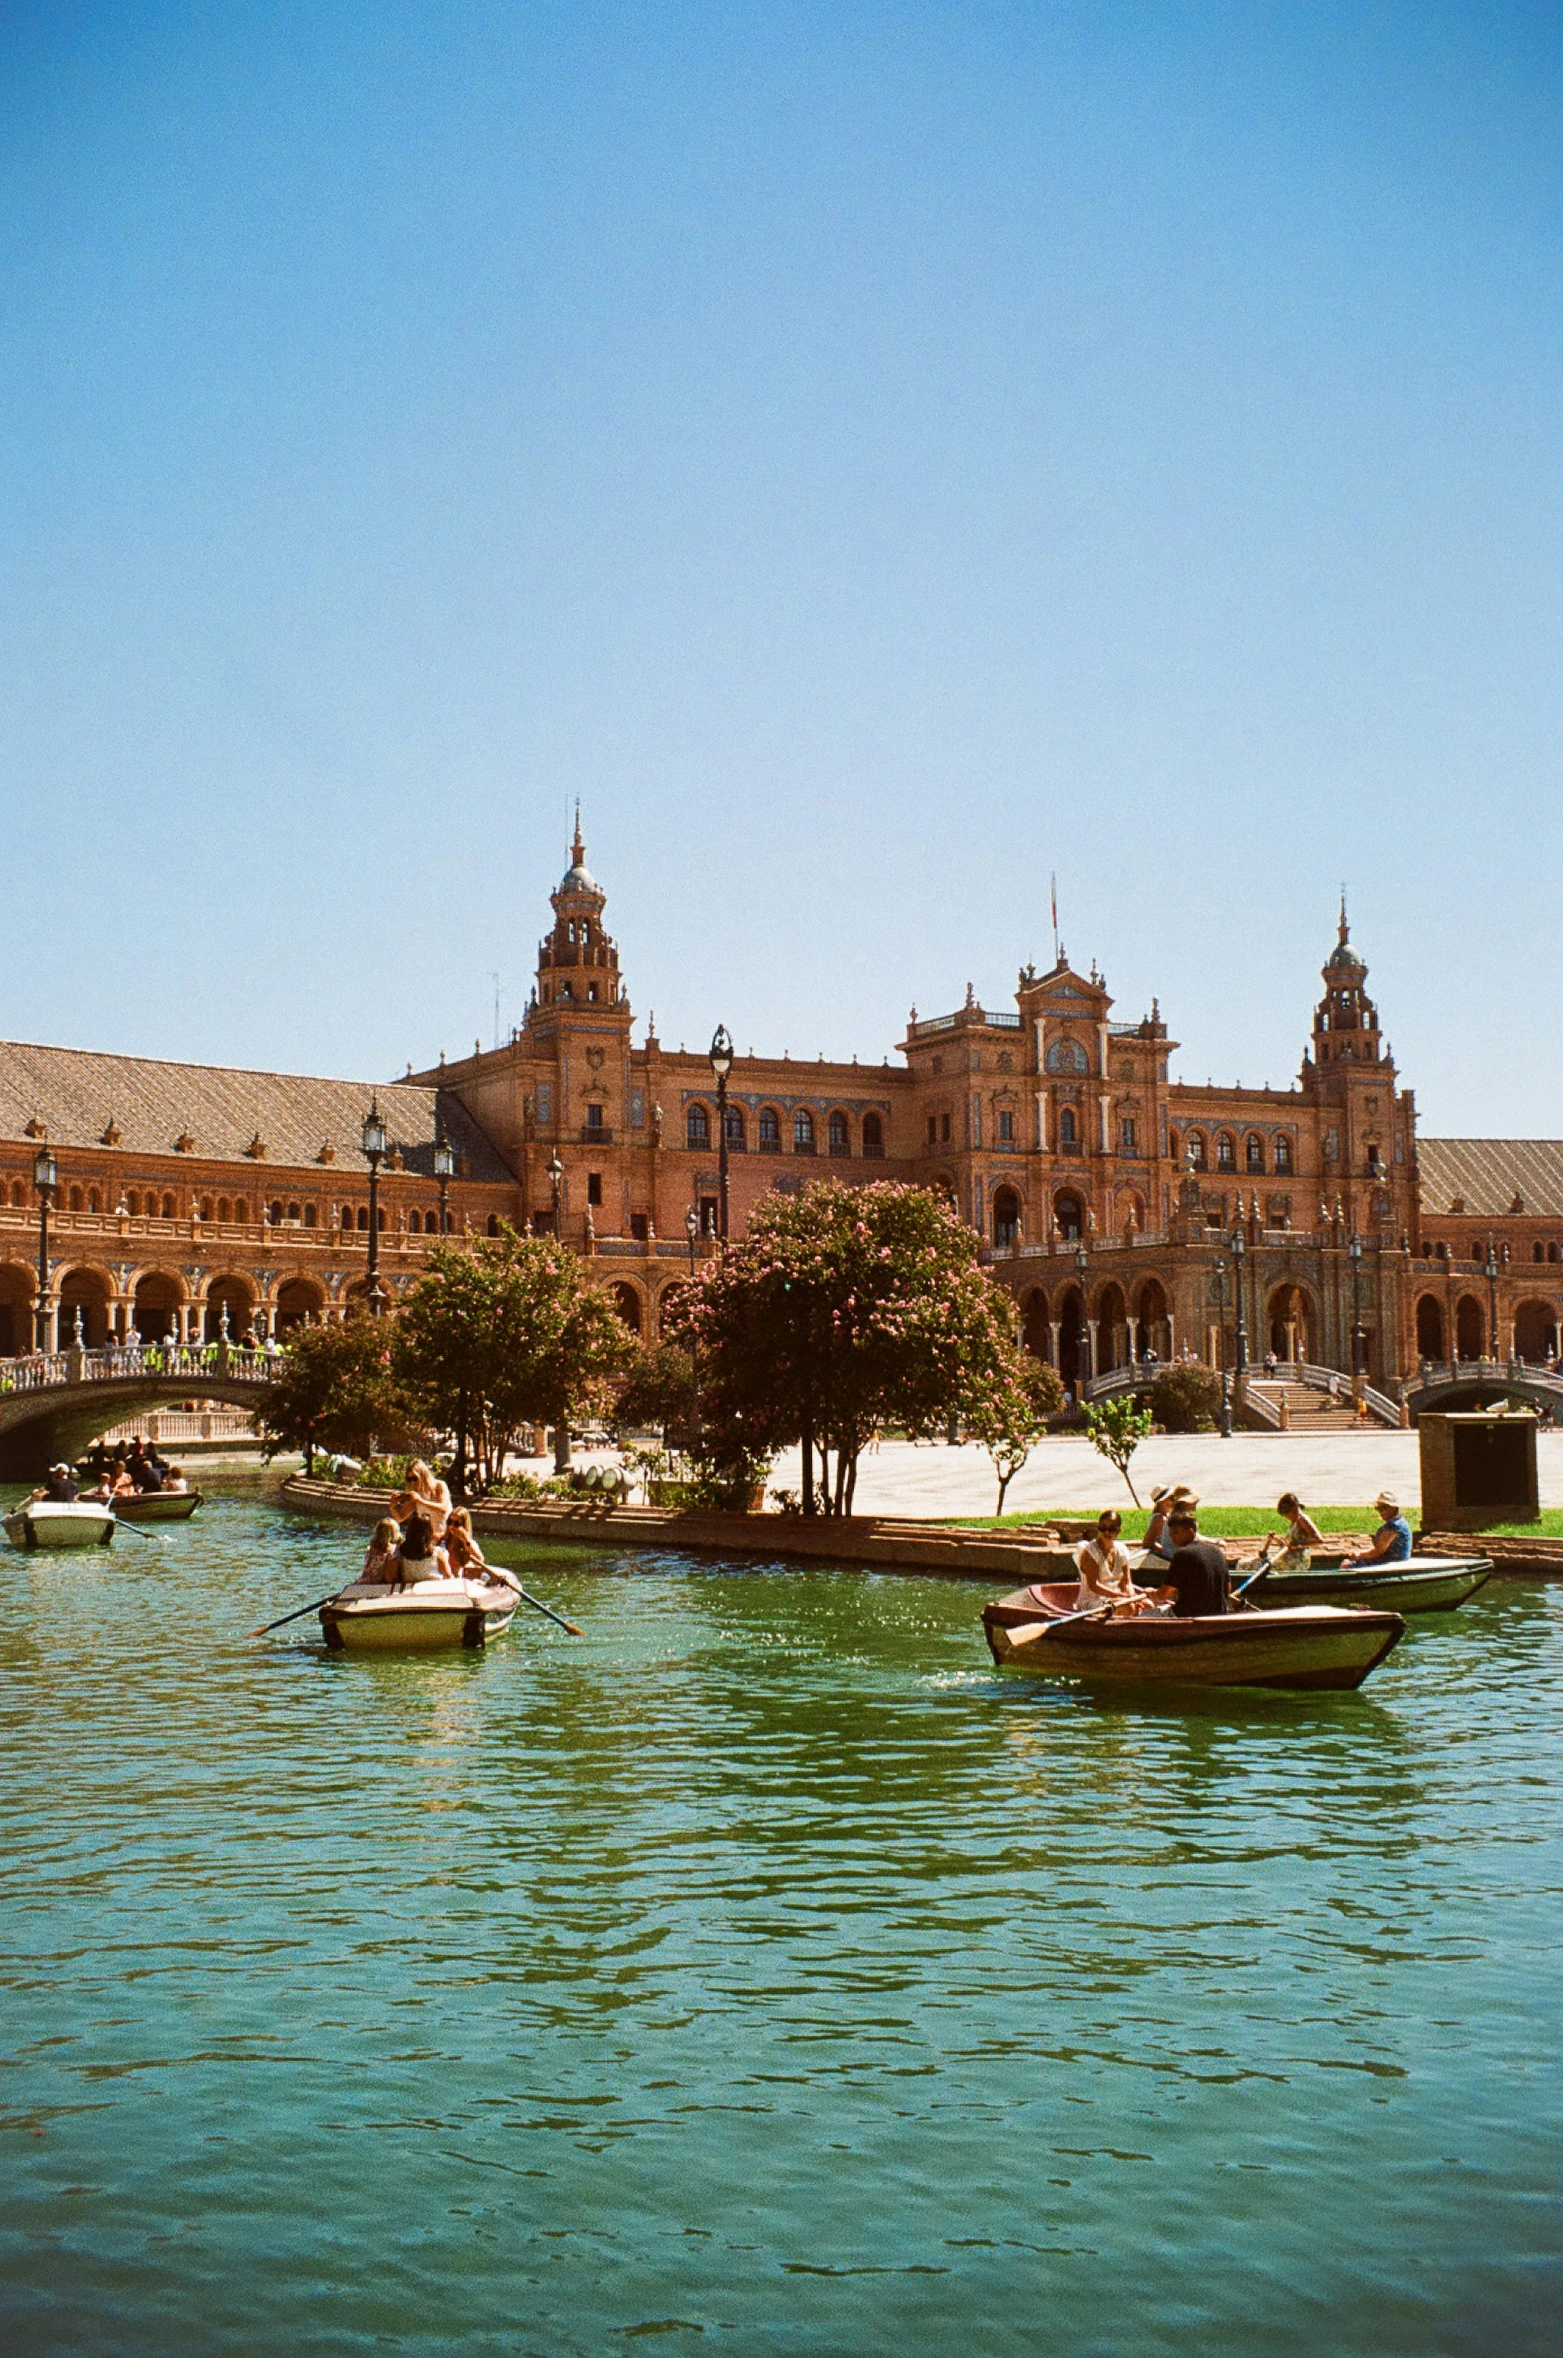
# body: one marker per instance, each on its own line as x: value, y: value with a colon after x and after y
x: 873, y: 456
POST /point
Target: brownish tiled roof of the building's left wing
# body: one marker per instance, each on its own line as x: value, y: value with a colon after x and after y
x: 84, y: 1098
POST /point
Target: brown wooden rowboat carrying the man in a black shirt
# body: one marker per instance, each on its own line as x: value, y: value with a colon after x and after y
x: 1293, y: 1647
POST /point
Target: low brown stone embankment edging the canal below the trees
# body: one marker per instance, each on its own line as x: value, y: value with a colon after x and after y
x: 890, y: 1543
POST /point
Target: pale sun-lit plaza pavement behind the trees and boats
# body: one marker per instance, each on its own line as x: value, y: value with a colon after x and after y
x: 1067, y: 1475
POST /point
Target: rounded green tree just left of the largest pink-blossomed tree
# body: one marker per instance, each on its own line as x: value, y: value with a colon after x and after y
x: 503, y: 1333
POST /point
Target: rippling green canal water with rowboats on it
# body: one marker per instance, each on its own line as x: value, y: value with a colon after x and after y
x: 758, y: 1975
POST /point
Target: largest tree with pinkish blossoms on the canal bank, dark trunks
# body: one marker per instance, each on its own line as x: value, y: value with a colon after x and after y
x: 843, y: 1310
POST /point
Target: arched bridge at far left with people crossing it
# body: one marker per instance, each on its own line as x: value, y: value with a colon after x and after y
x: 53, y: 1404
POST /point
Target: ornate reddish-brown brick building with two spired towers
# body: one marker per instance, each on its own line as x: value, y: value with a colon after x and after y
x: 1109, y: 1197
